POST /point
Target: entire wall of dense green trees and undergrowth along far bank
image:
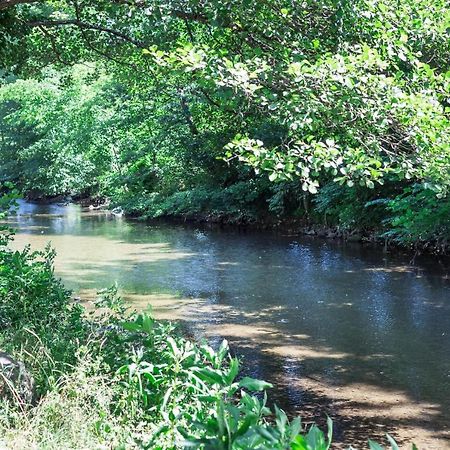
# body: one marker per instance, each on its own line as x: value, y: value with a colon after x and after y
x: 341, y: 108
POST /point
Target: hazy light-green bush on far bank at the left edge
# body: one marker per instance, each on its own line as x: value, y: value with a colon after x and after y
x: 49, y: 133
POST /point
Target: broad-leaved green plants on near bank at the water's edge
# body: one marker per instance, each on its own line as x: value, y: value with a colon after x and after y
x: 189, y: 393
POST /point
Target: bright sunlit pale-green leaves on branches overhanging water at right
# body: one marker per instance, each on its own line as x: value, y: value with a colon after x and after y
x: 379, y: 125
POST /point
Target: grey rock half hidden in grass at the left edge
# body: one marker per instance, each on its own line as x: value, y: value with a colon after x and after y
x: 15, y: 381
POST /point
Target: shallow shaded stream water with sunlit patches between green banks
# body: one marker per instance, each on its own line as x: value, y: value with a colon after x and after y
x: 342, y: 329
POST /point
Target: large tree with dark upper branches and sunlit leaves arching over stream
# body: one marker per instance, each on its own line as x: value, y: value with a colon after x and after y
x: 310, y: 93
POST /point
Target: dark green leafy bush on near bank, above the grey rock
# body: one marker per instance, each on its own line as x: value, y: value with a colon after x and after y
x: 35, y: 314
